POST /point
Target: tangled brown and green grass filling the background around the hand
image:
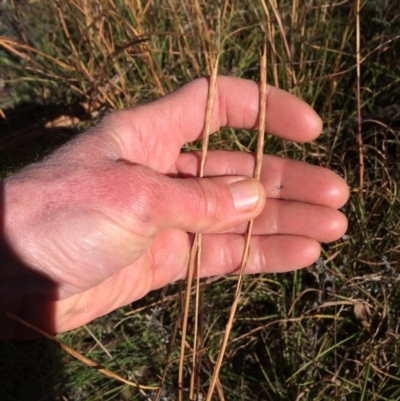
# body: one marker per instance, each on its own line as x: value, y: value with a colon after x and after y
x: 330, y: 331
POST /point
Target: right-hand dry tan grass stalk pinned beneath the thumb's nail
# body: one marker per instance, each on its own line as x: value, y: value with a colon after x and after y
x: 246, y: 252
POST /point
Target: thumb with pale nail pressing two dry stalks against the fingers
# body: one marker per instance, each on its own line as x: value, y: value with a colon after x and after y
x: 205, y: 204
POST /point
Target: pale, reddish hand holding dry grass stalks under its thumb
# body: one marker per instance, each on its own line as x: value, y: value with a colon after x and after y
x: 107, y: 218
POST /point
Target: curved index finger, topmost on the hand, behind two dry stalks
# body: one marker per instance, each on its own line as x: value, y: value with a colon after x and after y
x: 178, y: 118
